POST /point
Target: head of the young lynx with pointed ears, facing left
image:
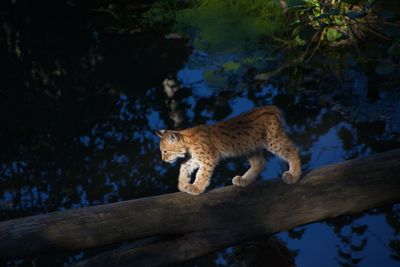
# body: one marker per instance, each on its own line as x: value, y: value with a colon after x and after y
x: 171, y: 145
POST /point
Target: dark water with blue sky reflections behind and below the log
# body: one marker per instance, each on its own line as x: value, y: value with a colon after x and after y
x: 78, y: 105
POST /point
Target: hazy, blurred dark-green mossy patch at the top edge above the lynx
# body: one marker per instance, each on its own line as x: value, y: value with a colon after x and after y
x: 230, y: 25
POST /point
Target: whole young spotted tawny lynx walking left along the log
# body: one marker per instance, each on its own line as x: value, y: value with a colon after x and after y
x: 245, y: 135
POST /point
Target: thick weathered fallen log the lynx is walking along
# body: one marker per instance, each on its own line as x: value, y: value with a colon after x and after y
x: 211, y: 221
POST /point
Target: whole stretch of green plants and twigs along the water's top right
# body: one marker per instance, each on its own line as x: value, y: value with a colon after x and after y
x: 303, y: 35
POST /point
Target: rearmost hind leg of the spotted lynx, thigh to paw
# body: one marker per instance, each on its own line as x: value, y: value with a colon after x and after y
x: 284, y: 148
